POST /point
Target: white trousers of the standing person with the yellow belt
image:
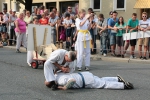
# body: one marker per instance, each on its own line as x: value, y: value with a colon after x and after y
x: 83, y: 51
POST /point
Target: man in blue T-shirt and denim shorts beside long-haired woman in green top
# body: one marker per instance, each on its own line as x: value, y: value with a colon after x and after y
x: 111, y: 23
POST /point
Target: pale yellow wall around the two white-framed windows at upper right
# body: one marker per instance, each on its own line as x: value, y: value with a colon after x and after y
x: 107, y: 6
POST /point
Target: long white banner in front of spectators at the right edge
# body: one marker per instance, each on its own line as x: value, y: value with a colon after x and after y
x: 136, y: 35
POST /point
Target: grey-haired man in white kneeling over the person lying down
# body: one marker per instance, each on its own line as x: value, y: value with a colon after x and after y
x: 59, y: 60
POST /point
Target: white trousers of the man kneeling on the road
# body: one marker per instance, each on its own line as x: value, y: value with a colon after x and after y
x: 49, y: 69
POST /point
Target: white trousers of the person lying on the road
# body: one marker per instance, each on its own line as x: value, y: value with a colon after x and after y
x: 107, y: 83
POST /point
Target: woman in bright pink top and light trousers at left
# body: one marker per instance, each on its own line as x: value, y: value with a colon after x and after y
x: 20, y: 32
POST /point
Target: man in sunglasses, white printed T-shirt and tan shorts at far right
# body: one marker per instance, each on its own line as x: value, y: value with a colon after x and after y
x: 144, y: 24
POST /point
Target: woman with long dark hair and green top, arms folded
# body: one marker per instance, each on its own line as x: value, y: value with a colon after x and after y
x: 120, y: 27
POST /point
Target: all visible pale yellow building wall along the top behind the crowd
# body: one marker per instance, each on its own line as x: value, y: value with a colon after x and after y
x: 107, y: 6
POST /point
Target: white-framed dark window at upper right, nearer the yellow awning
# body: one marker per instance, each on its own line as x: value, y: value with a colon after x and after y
x: 119, y: 4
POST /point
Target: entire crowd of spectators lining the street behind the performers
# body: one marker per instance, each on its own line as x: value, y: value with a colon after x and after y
x: 108, y: 30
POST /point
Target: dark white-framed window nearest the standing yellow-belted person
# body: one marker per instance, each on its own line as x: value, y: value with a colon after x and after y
x: 96, y: 5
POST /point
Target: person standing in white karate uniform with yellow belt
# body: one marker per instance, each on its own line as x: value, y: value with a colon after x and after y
x: 83, y: 39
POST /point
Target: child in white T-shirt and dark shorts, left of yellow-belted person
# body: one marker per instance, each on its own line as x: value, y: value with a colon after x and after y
x: 67, y: 24
